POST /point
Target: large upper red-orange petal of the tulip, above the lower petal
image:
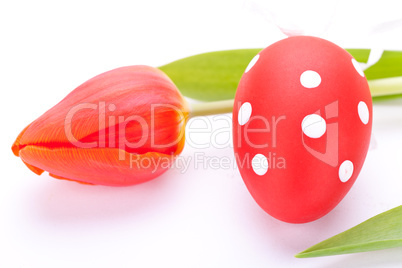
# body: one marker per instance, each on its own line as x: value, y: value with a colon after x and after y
x: 92, y: 114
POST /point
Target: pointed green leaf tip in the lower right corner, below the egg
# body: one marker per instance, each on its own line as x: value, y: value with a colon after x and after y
x: 379, y: 232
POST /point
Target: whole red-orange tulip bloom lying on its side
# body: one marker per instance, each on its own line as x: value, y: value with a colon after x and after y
x: 122, y: 127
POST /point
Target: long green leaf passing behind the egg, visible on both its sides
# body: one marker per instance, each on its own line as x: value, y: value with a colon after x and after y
x: 214, y: 76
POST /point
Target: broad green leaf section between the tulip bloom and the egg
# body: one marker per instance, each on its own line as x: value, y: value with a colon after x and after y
x: 210, y: 76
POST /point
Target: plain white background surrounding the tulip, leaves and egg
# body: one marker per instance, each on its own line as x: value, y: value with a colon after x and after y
x: 203, y: 217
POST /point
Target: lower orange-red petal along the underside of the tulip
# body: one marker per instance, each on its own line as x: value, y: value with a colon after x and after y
x: 105, y: 166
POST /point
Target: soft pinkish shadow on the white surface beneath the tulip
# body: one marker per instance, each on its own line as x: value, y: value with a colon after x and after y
x: 65, y: 204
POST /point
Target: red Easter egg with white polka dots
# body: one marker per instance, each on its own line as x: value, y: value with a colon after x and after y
x: 302, y: 123
